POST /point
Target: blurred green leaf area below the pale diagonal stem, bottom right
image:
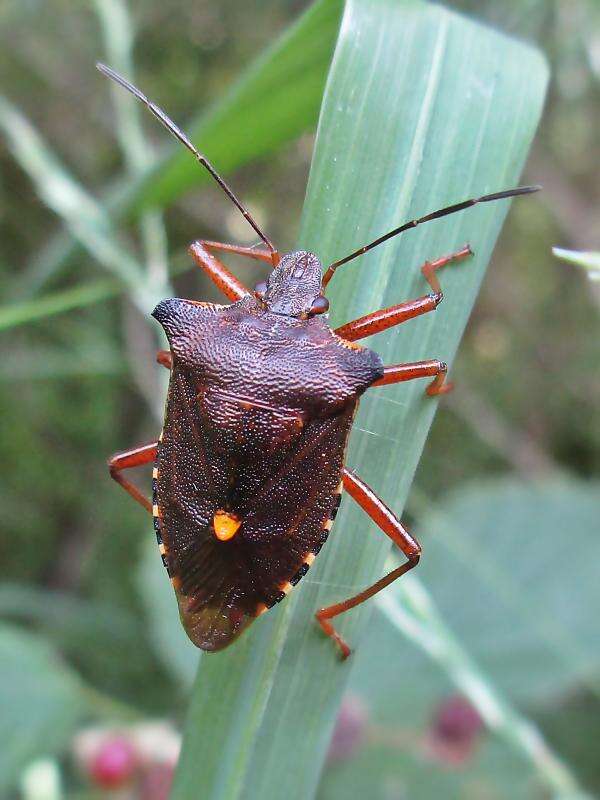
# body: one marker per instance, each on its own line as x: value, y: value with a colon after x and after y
x: 400, y: 692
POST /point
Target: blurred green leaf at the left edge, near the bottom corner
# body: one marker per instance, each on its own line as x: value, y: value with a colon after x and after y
x: 41, y: 702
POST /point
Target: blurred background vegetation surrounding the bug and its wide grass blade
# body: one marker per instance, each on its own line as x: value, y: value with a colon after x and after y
x: 506, y: 481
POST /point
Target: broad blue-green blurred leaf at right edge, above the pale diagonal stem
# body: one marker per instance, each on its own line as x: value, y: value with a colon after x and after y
x: 524, y: 557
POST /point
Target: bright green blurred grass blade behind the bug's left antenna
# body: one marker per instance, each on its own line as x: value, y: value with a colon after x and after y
x: 254, y: 118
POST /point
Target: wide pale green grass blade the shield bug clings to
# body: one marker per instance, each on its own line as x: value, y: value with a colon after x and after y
x: 422, y: 108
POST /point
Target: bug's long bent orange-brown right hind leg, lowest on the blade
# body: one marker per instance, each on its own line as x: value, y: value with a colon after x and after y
x: 392, y: 527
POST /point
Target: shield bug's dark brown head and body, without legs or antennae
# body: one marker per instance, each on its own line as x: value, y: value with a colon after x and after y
x: 249, y: 466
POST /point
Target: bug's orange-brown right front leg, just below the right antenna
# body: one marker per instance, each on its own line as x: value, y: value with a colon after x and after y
x: 388, y: 317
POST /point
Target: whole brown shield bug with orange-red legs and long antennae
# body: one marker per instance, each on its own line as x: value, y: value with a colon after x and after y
x: 249, y: 468
